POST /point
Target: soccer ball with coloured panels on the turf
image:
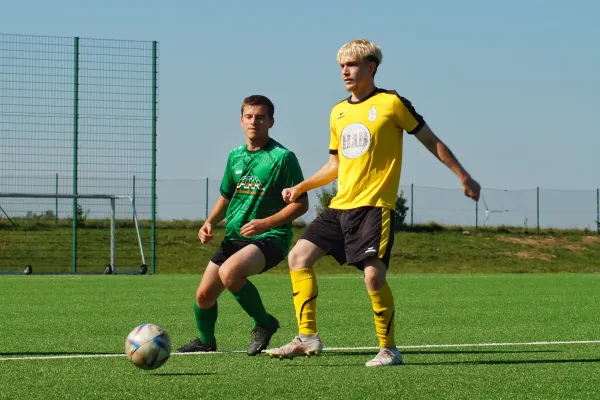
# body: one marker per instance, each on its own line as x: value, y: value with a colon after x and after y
x: 148, y: 346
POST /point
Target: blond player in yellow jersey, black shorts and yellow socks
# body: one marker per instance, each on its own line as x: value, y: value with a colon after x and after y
x: 358, y: 227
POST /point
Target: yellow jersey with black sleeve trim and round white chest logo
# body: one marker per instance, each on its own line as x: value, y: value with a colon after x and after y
x: 367, y: 136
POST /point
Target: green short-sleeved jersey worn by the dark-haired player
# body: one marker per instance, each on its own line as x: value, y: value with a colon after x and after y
x: 252, y: 182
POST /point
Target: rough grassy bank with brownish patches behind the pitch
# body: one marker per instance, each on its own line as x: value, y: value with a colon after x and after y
x: 425, y: 249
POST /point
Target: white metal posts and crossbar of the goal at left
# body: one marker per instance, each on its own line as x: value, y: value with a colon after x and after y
x: 111, y: 266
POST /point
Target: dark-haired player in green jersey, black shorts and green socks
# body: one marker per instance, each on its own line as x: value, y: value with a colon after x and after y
x: 258, y: 233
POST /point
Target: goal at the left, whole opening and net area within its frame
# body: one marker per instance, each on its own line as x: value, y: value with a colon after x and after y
x: 67, y: 233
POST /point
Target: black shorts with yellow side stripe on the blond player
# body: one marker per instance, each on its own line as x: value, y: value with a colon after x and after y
x: 351, y: 236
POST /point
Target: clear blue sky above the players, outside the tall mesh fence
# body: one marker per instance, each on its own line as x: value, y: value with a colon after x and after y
x: 512, y: 87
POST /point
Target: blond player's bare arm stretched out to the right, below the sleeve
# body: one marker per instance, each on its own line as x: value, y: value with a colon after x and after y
x: 439, y: 149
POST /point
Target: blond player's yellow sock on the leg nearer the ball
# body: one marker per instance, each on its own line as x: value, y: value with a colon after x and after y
x: 305, y: 292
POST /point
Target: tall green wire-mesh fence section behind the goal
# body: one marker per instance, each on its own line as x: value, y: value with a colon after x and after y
x: 78, y: 116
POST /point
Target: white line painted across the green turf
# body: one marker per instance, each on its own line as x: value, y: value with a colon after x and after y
x: 422, y: 346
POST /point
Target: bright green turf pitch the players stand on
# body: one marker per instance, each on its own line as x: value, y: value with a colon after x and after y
x: 467, y: 336
